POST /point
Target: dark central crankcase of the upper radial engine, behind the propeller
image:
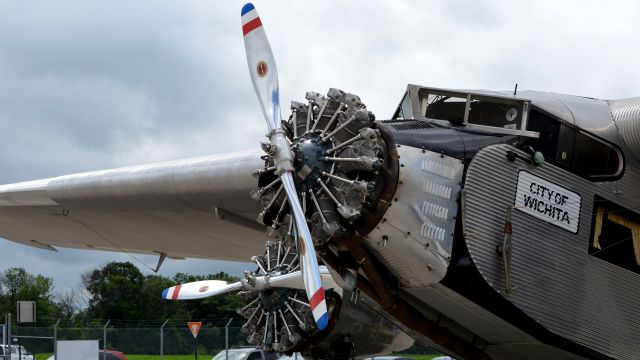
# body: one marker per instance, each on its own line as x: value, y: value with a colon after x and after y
x: 309, y: 150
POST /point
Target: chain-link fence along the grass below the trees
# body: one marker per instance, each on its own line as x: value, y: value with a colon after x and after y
x: 171, y: 340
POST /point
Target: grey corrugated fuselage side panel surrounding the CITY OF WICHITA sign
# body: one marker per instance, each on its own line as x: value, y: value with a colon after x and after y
x: 553, y: 279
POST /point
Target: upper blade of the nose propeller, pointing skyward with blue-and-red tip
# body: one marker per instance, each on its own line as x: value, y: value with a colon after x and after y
x: 262, y: 65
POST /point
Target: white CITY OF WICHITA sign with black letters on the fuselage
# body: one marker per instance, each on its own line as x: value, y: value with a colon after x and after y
x: 548, y: 201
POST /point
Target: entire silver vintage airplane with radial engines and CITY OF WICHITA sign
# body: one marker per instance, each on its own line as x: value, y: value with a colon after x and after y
x: 487, y: 224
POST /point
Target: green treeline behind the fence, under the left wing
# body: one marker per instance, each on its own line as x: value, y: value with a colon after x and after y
x: 117, y: 291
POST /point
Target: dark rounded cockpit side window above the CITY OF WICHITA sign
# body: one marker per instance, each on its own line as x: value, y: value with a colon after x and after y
x: 575, y: 150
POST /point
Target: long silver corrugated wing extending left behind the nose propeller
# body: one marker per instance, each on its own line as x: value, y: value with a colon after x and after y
x: 197, y: 208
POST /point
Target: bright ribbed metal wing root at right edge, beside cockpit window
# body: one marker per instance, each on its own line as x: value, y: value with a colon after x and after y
x: 626, y: 115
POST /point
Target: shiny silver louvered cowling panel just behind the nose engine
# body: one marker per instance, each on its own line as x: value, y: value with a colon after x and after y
x: 415, y: 237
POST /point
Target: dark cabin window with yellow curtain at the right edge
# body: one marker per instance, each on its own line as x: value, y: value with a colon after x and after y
x: 615, y: 235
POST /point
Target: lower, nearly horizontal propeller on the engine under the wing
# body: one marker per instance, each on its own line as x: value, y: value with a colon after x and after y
x: 207, y: 288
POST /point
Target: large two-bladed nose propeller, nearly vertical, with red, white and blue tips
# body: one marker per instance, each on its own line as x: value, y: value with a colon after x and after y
x: 264, y: 76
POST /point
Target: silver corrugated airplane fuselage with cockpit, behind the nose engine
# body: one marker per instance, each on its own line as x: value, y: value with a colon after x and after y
x: 517, y: 224
